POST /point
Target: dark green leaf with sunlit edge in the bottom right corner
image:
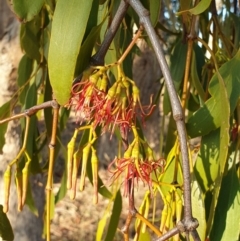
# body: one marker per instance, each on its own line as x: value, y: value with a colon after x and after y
x: 227, y: 215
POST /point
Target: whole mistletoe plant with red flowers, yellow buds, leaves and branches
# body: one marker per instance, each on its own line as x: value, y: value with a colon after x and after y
x: 77, y: 55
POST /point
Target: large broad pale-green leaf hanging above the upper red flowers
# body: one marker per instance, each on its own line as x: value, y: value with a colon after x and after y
x: 68, y: 28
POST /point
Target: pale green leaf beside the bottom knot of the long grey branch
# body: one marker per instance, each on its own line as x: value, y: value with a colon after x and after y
x: 198, y: 208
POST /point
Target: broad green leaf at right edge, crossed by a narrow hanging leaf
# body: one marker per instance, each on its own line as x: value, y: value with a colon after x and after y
x: 215, y: 110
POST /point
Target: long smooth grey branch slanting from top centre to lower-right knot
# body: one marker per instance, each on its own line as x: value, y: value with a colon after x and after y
x: 189, y: 222
